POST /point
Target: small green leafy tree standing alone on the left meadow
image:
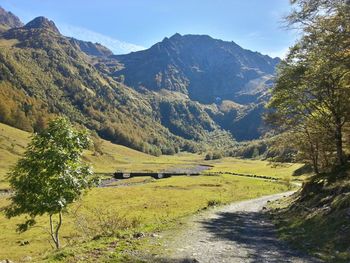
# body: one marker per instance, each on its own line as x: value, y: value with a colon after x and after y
x: 50, y: 176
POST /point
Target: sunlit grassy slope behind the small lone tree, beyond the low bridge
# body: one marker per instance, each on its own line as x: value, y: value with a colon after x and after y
x: 113, y: 157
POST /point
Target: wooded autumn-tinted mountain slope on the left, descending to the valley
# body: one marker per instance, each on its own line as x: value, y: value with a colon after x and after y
x: 43, y: 74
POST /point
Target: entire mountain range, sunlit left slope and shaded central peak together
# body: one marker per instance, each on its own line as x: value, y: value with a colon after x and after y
x: 187, y: 92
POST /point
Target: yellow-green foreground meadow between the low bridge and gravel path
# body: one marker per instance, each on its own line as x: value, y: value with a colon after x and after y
x: 133, y: 213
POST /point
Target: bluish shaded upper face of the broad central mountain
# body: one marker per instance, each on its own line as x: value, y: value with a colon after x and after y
x: 204, y: 68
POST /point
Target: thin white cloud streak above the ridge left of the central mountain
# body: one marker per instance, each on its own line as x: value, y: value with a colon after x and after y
x: 115, y: 45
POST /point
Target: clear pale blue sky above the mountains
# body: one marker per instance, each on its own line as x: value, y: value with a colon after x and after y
x: 130, y: 25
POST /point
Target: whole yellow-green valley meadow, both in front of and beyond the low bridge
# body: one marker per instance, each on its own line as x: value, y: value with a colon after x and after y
x: 123, y: 211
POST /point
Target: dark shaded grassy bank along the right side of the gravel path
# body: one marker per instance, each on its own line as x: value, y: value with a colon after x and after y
x: 317, y: 218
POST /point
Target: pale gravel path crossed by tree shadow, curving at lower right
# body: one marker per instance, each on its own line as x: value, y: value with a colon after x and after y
x: 239, y: 232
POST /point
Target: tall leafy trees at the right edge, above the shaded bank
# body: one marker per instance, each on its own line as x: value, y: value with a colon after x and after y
x: 311, y: 97
